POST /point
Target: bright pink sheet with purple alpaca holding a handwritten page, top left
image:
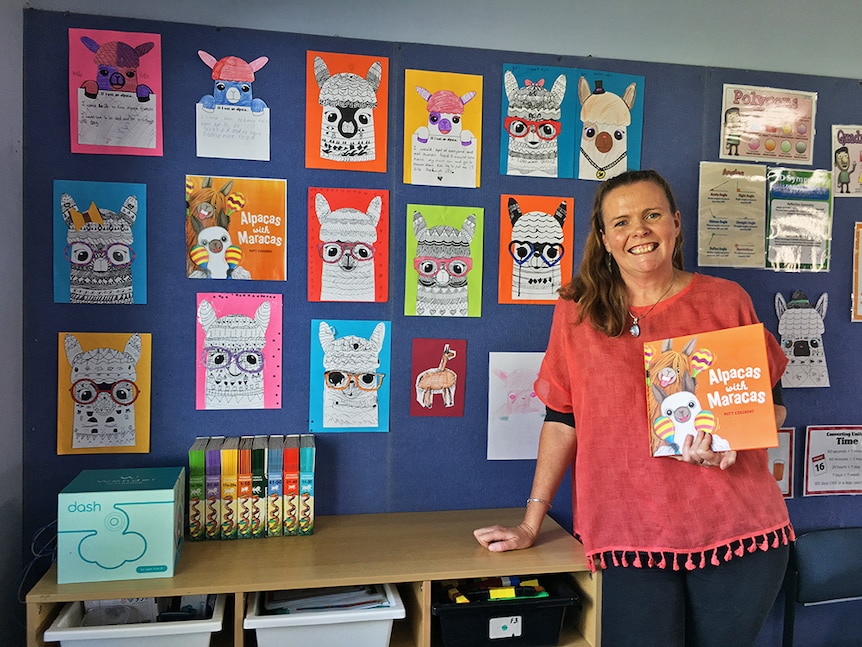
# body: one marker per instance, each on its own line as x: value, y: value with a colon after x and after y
x: 115, y: 92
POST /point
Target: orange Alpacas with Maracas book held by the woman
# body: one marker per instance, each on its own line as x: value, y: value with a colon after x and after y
x: 717, y: 382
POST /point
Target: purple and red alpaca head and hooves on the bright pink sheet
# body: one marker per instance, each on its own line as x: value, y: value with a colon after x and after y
x: 117, y: 64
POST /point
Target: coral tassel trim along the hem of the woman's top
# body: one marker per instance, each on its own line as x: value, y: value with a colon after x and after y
x: 692, y: 560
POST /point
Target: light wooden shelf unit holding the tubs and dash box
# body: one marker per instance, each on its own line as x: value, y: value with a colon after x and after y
x: 410, y: 549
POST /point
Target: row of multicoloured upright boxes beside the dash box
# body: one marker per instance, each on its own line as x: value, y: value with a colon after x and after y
x: 245, y: 487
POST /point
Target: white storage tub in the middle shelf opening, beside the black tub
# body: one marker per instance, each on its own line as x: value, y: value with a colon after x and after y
x: 359, y: 627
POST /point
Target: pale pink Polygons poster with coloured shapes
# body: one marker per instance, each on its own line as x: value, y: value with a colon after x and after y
x: 767, y: 124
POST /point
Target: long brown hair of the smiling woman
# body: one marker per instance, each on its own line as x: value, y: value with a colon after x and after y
x: 598, y: 287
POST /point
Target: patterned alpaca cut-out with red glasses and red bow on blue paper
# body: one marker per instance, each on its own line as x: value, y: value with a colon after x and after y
x: 533, y: 125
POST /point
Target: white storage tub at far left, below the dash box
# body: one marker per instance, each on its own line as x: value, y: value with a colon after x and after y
x: 67, y: 630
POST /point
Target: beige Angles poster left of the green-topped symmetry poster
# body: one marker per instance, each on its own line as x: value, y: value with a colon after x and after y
x: 731, y: 215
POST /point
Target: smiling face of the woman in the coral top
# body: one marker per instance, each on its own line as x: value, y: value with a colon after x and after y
x: 639, y: 228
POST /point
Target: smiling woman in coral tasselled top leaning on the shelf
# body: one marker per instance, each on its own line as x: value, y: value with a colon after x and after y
x: 693, y: 551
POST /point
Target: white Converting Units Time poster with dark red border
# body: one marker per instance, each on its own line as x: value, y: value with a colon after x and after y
x: 833, y: 460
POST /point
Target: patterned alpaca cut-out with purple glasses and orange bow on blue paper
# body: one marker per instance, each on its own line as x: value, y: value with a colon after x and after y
x: 99, y: 251
